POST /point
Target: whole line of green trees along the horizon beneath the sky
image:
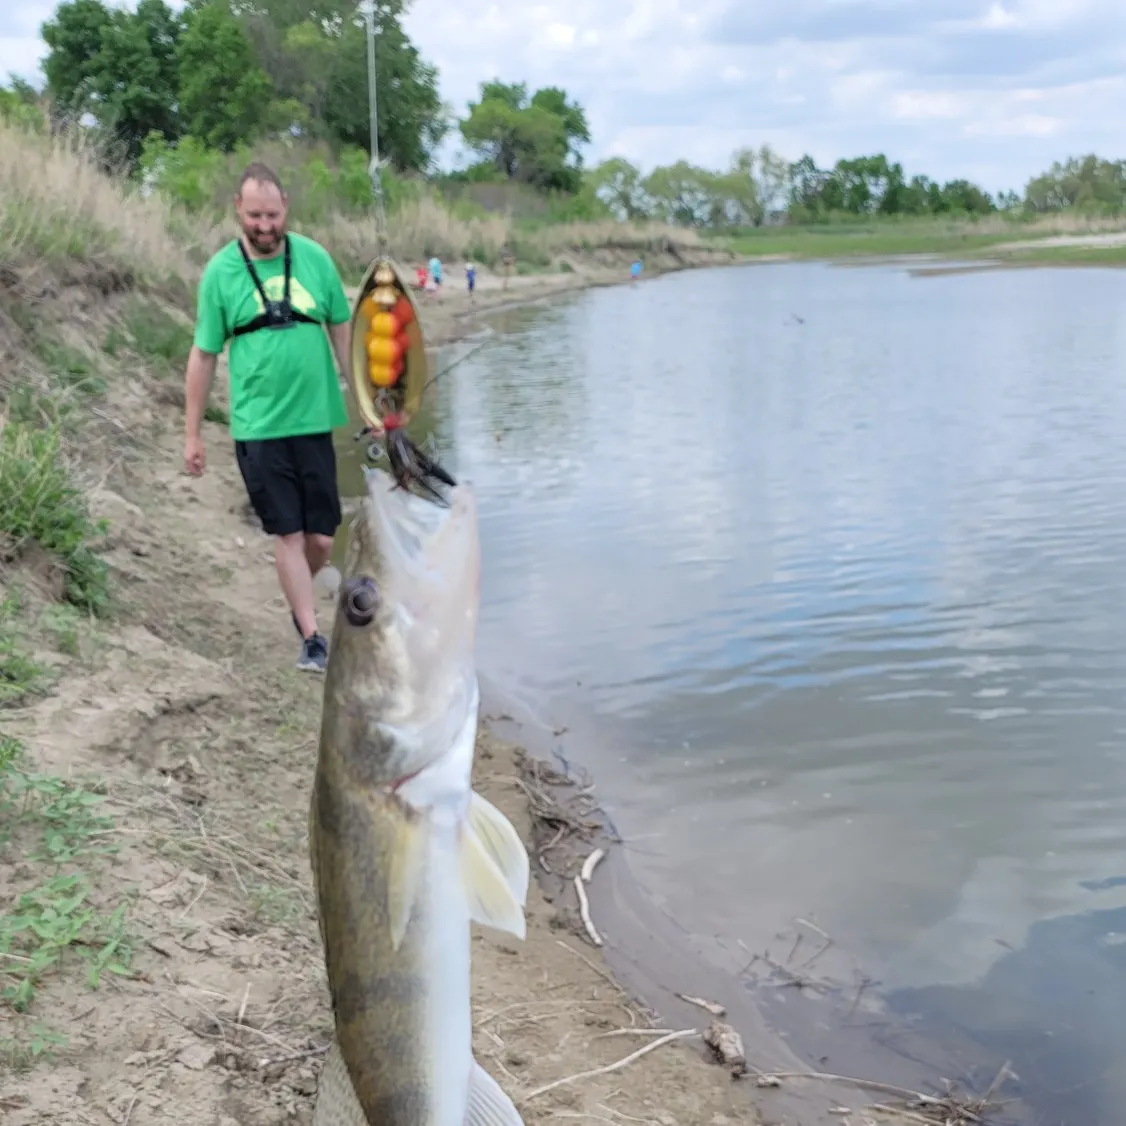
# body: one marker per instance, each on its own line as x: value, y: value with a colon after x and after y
x: 182, y: 96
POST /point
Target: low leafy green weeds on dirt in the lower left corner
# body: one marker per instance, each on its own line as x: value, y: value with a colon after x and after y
x: 55, y: 922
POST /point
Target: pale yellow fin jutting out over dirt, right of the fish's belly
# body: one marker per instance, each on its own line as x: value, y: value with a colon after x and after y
x: 490, y: 870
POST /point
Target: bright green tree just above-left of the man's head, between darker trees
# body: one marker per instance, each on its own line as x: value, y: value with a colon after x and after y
x: 215, y: 55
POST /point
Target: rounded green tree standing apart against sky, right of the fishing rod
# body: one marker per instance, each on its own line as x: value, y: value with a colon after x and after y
x: 537, y: 141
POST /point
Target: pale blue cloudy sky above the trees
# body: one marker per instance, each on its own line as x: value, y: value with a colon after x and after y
x: 990, y: 91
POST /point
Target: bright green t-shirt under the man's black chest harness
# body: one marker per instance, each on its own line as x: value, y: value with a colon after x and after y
x: 284, y: 382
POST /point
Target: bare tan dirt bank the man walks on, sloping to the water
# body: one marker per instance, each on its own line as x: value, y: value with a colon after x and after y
x: 154, y: 826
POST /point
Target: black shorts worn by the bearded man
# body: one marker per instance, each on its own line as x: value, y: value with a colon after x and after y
x: 292, y: 484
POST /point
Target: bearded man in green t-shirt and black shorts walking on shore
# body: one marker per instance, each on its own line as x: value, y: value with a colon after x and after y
x: 273, y: 294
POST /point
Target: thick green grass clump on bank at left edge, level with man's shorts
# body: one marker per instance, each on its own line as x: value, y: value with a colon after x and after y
x: 41, y: 504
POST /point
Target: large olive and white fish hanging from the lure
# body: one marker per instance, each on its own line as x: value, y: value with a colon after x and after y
x: 405, y: 853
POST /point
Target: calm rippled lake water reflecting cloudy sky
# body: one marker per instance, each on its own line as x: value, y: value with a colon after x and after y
x: 834, y: 561
